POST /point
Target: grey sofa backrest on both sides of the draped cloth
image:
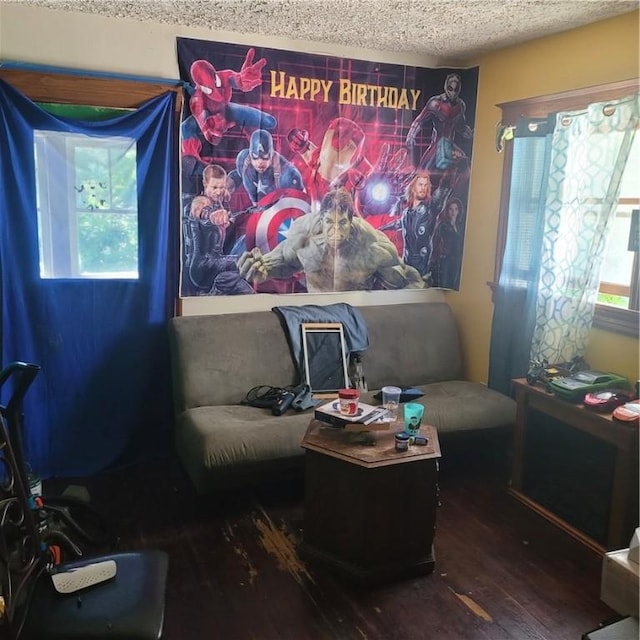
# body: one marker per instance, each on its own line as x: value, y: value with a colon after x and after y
x: 216, y: 359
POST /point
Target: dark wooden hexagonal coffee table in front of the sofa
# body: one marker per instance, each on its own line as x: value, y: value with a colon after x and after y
x: 369, y: 511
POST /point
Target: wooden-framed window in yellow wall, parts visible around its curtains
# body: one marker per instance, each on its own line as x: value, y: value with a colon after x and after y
x: 617, y: 308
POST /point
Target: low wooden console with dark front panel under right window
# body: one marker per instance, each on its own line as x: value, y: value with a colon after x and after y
x: 564, y: 454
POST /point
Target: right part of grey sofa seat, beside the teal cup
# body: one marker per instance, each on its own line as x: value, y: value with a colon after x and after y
x: 457, y: 405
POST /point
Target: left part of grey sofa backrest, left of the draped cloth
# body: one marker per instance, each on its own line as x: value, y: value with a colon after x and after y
x: 216, y: 359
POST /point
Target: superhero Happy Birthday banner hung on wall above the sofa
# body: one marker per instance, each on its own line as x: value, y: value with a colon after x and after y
x: 286, y: 130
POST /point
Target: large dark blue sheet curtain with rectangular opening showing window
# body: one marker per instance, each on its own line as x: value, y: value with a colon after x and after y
x: 102, y: 399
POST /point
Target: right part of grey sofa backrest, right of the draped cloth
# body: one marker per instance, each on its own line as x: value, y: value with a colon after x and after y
x: 411, y: 344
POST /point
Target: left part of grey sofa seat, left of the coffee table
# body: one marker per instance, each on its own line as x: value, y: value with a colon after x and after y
x: 219, y: 439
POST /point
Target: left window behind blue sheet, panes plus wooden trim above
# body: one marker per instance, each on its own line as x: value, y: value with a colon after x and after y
x: 82, y: 254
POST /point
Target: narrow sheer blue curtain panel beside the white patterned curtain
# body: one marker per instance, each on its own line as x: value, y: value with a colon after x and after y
x: 516, y: 293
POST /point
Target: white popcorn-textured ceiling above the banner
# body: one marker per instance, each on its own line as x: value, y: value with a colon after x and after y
x: 445, y: 29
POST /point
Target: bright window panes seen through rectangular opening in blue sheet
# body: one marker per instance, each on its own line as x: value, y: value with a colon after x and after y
x: 87, y: 206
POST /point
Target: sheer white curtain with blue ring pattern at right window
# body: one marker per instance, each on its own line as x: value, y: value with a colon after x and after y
x: 589, y: 151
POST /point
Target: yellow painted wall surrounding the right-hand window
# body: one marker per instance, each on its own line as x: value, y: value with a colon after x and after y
x: 603, y: 52
